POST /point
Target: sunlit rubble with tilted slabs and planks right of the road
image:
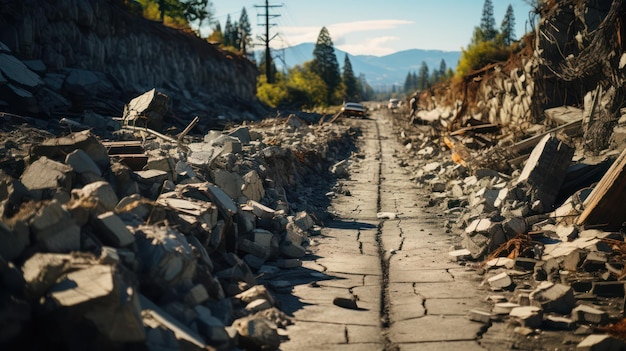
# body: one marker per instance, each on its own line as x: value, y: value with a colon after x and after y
x: 545, y: 229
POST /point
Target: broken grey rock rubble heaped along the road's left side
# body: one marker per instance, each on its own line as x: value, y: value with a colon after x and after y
x: 156, y: 242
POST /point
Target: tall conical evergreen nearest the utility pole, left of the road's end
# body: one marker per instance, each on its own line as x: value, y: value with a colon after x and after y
x: 325, y: 63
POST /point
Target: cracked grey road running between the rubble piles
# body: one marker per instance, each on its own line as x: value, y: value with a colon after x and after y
x: 388, y: 252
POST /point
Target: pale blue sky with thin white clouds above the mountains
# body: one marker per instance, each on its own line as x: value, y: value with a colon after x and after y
x: 373, y: 27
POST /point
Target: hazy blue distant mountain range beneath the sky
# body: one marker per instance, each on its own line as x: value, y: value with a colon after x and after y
x: 381, y: 72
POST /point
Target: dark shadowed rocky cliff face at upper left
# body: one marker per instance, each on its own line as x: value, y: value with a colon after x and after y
x: 96, y: 54
